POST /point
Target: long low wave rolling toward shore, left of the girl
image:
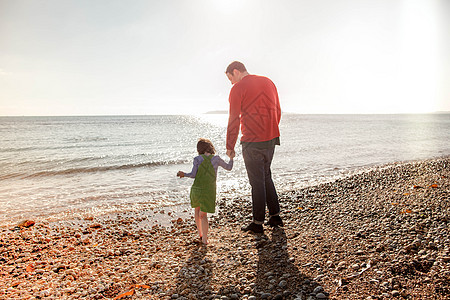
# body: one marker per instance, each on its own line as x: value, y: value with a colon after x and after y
x: 84, y: 170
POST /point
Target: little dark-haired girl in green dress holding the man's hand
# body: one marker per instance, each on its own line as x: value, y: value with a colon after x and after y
x: 203, y: 191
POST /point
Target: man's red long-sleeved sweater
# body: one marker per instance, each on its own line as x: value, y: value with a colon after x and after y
x: 255, y: 107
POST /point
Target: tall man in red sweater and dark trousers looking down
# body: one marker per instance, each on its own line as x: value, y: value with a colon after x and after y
x: 255, y: 108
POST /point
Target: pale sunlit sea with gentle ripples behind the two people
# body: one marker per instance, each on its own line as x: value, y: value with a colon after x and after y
x: 68, y: 167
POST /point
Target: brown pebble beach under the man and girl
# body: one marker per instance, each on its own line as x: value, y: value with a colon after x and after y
x: 379, y: 234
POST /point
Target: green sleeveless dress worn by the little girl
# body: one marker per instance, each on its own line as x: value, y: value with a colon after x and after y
x: 203, y: 191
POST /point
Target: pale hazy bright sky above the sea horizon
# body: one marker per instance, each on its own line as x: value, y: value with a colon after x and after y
x: 86, y: 57
